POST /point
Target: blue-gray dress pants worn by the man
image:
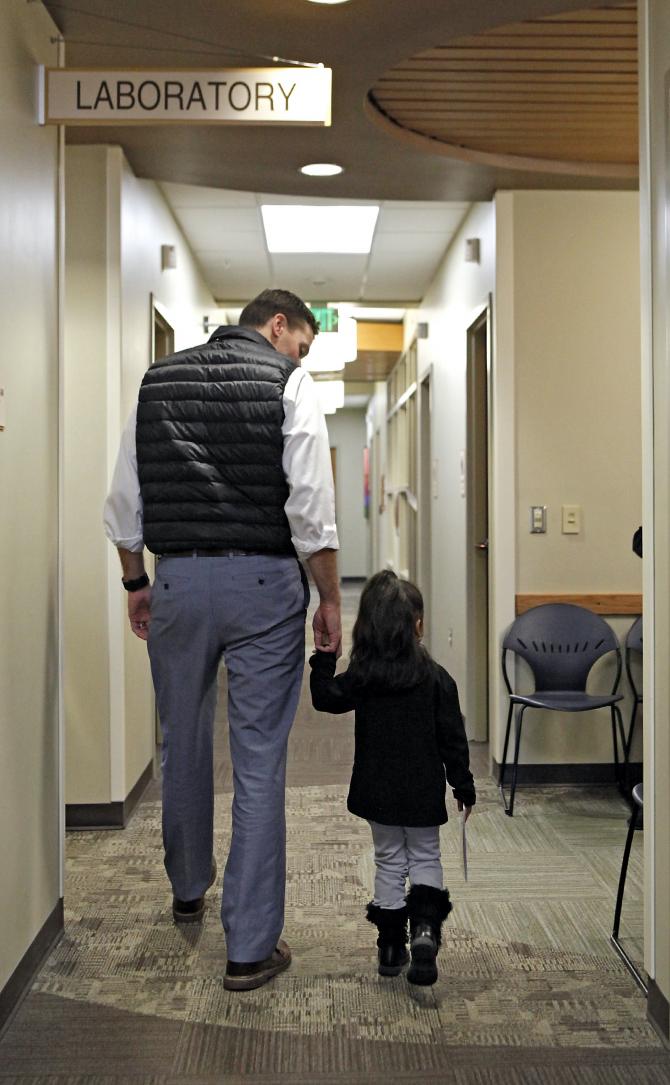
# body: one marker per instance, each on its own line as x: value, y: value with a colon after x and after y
x: 251, y: 610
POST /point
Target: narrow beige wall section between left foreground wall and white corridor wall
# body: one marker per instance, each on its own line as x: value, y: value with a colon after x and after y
x: 89, y: 356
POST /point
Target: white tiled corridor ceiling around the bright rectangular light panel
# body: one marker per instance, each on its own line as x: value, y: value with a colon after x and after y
x: 225, y: 231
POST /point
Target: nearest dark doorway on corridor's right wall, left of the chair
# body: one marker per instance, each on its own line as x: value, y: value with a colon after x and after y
x: 476, y: 470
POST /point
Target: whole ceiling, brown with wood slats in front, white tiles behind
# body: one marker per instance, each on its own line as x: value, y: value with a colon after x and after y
x: 441, y: 101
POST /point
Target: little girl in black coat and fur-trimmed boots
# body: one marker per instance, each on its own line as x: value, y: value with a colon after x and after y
x: 409, y: 735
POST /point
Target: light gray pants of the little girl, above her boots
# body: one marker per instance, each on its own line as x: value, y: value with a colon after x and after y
x: 402, y: 853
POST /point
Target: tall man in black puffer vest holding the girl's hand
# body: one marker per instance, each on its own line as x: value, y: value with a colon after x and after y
x: 225, y: 473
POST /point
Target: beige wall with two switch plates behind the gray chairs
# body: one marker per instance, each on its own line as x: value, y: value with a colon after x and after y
x: 573, y: 331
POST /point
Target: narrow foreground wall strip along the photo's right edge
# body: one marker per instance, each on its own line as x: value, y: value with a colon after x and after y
x: 654, y: 181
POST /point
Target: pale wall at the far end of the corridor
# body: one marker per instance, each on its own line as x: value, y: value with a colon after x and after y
x: 347, y: 435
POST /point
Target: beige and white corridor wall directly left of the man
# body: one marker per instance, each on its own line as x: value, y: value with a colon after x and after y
x: 117, y: 225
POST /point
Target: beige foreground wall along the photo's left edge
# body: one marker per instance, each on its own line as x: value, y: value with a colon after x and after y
x: 30, y: 793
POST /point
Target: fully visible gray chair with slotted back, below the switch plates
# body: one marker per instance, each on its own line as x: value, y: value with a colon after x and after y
x: 561, y: 643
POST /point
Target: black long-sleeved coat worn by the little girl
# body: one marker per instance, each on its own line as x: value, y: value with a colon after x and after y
x: 406, y: 741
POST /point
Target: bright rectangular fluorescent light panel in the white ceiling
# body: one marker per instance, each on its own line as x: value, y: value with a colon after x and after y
x: 319, y: 228
